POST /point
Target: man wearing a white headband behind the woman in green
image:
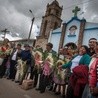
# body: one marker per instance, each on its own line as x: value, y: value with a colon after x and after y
x: 92, y: 44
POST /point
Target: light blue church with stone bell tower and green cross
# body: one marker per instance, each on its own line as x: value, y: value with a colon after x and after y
x: 77, y: 31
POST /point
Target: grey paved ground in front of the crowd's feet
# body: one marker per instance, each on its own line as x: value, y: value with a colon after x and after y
x: 9, y: 89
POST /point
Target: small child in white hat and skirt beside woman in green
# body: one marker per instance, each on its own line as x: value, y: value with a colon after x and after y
x: 59, y: 78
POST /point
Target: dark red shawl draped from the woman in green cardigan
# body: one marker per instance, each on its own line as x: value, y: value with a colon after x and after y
x: 79, y: 78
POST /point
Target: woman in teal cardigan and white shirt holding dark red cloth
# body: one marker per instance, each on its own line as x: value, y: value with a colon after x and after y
x: 79, y: 72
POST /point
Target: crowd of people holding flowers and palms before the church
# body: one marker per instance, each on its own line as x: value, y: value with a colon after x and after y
x: 71, y: 73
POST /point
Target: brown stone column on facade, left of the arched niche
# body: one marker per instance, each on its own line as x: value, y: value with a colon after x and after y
x: 62, y: 36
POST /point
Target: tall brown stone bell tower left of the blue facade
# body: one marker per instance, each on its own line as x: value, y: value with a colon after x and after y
x: 50, y: 21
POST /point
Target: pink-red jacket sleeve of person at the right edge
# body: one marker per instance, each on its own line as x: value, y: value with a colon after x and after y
x: 93, y: 72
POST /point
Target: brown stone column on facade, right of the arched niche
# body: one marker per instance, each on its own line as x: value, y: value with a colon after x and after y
x: 81, y: 32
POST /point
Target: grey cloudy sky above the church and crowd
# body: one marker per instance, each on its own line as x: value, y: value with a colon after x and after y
x: 15, y: 15
